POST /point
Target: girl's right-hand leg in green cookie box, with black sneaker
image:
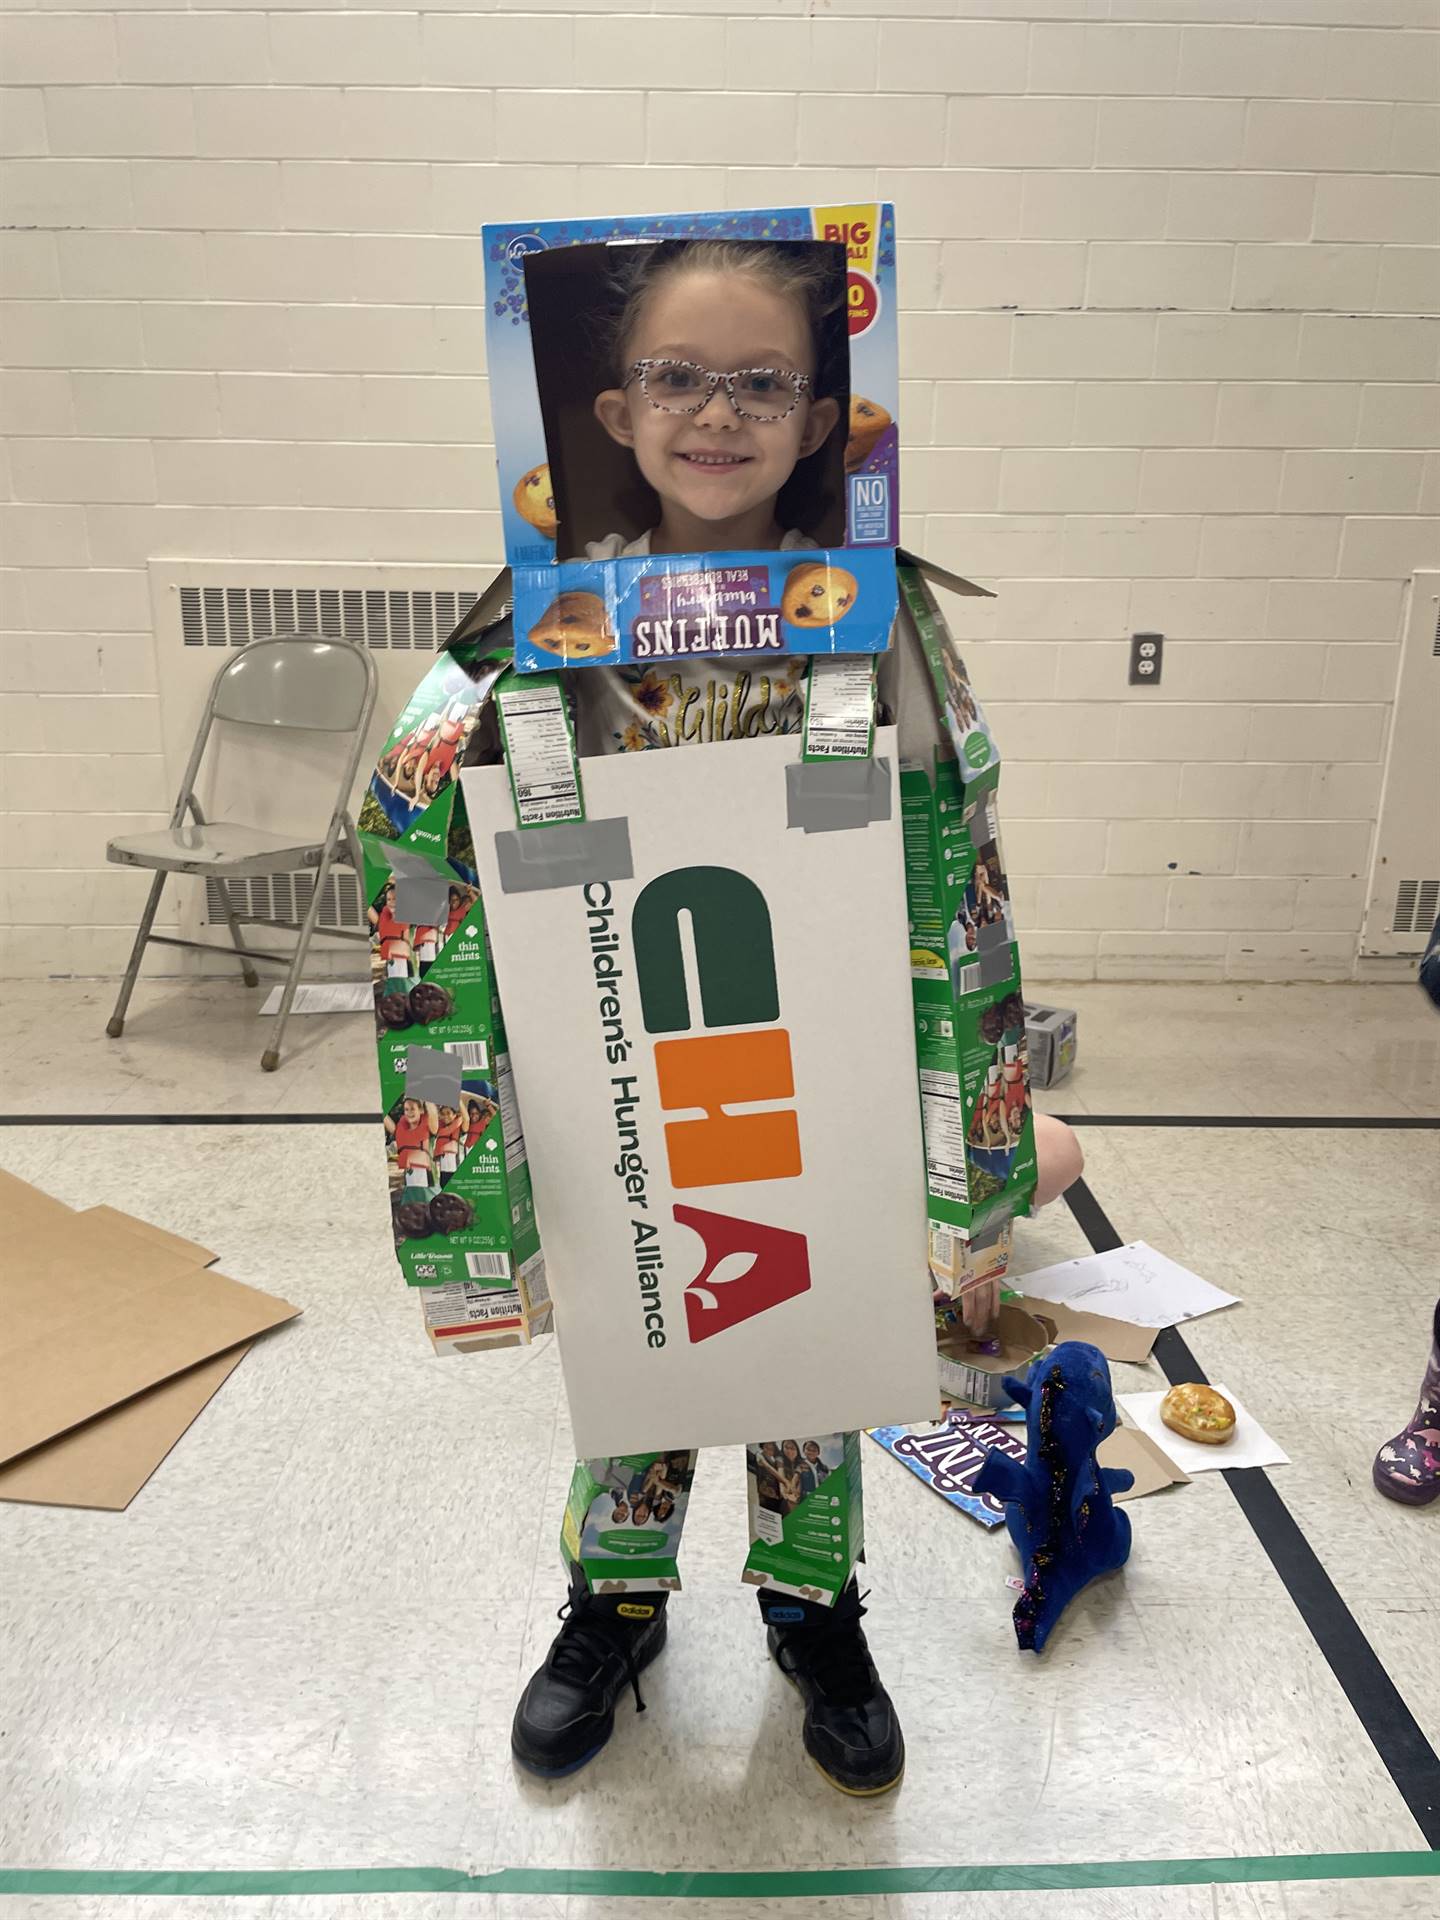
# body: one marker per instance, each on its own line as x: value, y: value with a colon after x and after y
x: 811, y: 1604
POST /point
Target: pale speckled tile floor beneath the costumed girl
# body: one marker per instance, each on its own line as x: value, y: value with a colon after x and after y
x: 302, y: 1644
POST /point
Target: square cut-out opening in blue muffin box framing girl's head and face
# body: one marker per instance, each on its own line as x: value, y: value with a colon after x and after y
x: 692, y: 393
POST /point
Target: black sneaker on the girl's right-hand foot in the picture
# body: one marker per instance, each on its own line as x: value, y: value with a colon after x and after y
x: 852, y: 1729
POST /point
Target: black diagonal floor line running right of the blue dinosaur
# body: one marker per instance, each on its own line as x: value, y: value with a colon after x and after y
x: 1378, y: 1702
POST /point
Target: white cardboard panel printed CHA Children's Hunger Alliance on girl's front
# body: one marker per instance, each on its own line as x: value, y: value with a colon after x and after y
x: 804, y: 1316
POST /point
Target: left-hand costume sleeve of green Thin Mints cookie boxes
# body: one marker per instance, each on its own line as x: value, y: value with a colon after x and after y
x: 462, y: 1211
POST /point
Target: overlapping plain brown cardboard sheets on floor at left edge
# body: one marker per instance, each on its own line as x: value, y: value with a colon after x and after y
x: 114, y: 1335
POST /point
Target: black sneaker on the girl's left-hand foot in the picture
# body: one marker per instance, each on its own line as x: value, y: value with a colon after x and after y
x: 567, y: 1712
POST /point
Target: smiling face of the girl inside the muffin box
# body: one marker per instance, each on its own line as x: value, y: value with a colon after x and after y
x: 717, y: 473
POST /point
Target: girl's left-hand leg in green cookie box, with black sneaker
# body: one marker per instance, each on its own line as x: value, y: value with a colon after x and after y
x: 623, y: 1572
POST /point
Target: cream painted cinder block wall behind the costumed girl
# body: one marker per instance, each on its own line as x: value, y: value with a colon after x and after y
x: 1170, y: 281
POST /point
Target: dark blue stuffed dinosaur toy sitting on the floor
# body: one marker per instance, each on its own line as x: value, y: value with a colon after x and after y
x: 1057, y: 1502
